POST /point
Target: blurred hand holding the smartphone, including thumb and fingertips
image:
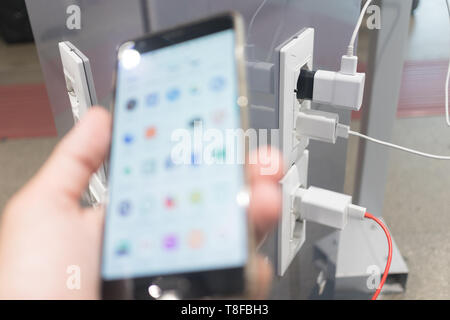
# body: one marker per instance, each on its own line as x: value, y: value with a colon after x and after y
x: 44, y: 230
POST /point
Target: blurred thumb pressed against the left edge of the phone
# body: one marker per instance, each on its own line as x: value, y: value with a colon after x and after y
x: 79, y: 154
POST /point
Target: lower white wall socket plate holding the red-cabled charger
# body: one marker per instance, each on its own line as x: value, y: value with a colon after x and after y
x: 291, y: 230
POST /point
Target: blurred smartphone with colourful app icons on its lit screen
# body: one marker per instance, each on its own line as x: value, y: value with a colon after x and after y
x: 171, y: 225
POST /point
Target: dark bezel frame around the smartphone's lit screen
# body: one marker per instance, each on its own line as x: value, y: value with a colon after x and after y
x: 216, y: 282
